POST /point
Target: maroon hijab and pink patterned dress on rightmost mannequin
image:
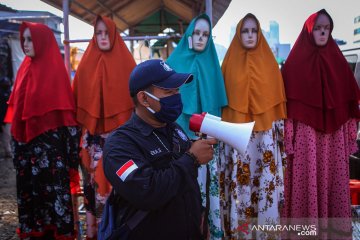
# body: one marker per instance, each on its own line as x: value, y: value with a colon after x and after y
x: 320, y: 133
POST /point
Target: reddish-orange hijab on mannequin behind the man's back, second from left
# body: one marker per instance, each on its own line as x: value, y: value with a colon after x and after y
x: 101, y: 84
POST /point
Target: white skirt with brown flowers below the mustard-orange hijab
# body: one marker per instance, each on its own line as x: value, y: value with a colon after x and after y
x: 252, y: 185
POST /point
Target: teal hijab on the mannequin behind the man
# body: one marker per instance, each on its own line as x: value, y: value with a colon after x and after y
x: 206, y: 92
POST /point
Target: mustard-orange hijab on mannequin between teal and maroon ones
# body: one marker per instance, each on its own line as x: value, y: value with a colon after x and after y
x: 253, y: 82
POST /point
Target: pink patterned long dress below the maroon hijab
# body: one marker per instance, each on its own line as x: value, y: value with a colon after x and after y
x: 317, y: 159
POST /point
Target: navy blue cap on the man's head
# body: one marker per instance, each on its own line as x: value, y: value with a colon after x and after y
x: 157, y: 73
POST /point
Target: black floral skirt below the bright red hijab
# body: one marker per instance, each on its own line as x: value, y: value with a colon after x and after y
x: 43, y: 183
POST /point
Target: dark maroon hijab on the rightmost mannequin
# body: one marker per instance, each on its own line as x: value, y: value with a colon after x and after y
x: 320, y: 88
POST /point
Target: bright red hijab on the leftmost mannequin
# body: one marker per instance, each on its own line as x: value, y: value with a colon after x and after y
x: 41, y: 99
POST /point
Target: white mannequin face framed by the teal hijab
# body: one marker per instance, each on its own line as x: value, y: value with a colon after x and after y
x: 200, y: 35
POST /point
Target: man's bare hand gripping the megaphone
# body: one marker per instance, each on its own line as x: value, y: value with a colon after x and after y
x: 203, y: 150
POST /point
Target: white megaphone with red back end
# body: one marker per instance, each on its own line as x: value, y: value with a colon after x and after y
x: 236, y: 135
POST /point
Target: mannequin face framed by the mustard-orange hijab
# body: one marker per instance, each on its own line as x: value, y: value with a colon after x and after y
x: 249, y: 31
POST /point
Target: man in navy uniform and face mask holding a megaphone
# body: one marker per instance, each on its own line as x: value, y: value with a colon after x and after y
x: 152, y: 164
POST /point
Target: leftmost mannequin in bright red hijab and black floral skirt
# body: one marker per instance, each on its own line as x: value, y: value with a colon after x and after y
x: 46, y: 139
